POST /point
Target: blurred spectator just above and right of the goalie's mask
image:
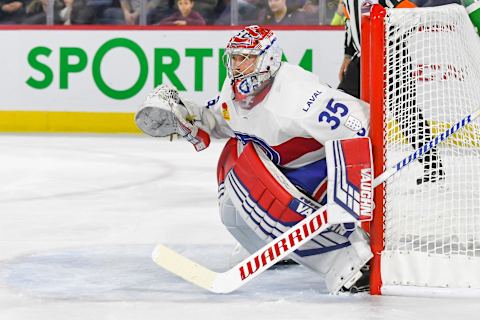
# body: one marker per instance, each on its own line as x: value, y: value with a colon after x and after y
x: 279, y: 14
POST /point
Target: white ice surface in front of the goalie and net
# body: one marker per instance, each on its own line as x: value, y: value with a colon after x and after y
x: 79, y: 216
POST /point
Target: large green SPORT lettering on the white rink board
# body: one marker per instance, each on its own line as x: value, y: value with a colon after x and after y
x: 166, y: 62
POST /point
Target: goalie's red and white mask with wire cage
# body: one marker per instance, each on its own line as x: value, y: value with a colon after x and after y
x: 252, y: 57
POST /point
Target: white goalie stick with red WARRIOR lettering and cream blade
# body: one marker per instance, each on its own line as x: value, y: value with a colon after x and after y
x: 279, y: 248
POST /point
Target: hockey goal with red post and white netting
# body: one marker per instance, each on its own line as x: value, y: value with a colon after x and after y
x: 421, y: 73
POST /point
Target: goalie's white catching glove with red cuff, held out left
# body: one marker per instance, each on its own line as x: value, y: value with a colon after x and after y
x: 163, y: 113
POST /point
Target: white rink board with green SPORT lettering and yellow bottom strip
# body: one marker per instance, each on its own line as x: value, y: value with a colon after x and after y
x: 55, y: 74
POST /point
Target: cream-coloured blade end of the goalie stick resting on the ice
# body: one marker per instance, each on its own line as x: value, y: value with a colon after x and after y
x: 184, y: 268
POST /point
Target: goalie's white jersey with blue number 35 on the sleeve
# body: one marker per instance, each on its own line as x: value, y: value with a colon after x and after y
x: 294, y: 120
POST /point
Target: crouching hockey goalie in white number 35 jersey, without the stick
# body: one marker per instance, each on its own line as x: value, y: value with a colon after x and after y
x: 294, y: 145
